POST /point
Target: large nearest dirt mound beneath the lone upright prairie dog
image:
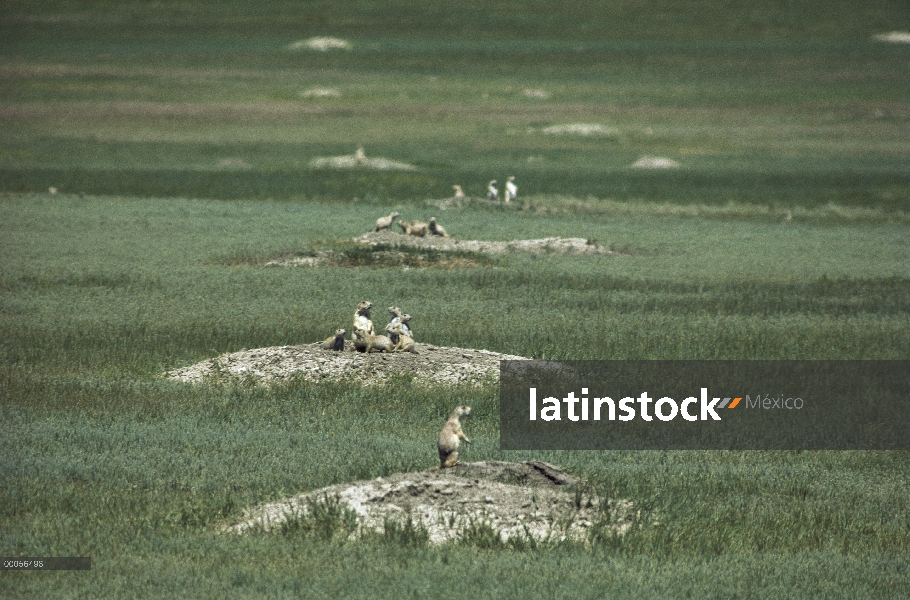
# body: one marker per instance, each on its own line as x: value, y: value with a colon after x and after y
x: 531, y: 499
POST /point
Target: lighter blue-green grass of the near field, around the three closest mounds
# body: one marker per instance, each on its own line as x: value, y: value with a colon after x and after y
x: 100, y: 294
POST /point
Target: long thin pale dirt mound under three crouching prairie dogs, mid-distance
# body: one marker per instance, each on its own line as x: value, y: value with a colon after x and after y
x: 556, y: 245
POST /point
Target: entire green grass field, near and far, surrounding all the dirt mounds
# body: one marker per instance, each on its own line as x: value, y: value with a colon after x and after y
x: 180, y: 138
